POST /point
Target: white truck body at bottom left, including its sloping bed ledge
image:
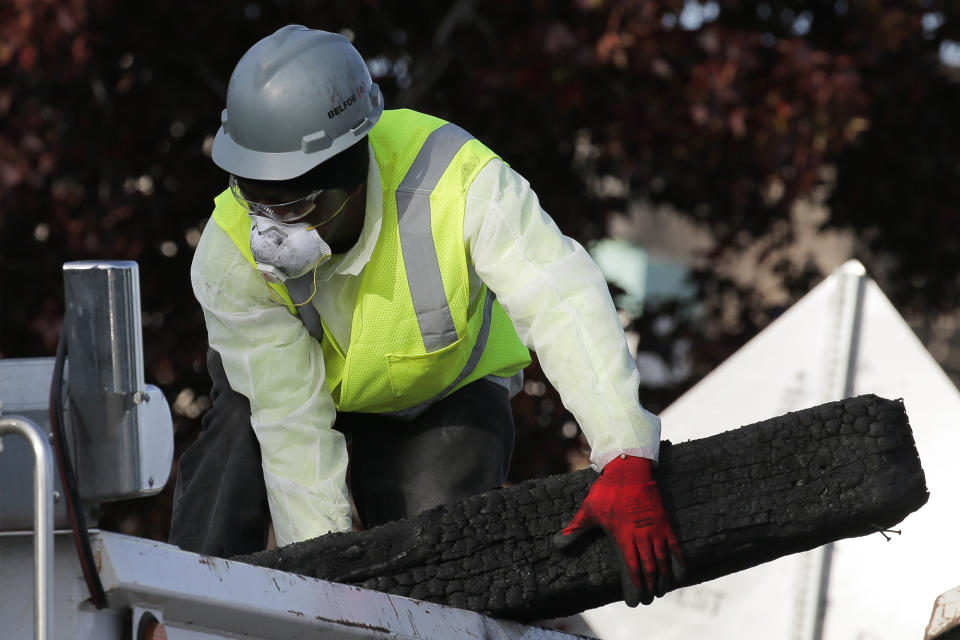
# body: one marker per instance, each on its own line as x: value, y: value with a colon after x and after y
x: 201, y: 597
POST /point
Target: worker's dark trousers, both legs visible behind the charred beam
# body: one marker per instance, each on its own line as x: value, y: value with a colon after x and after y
x: 458, y: 447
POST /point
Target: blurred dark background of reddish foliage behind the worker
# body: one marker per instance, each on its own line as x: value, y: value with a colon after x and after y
x: 742, y: 149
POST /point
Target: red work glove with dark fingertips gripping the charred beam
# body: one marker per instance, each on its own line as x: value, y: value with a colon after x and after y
x: 626, y: 503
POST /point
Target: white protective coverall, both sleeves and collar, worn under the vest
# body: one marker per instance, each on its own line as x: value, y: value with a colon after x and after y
x: 547, y: 283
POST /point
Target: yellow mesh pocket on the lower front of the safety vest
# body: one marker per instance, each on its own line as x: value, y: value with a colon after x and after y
x: 415, y: 378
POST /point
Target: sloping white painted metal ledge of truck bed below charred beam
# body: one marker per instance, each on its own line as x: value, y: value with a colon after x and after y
x: 194, y: 595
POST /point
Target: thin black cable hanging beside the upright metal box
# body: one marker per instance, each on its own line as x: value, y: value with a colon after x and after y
x: 81, y: 536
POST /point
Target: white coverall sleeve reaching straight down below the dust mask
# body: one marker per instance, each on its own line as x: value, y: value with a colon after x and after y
x: 270, y: 358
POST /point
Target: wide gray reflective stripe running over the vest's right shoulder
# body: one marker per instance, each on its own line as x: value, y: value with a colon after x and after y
x: 416, y: 237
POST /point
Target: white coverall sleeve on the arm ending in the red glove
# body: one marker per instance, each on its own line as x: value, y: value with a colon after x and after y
x: 558, y: 300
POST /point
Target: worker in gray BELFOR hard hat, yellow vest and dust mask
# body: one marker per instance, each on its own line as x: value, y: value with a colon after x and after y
x: 371, y: 280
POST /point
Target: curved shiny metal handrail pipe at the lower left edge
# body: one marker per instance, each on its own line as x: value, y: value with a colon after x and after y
x: 42, y: 521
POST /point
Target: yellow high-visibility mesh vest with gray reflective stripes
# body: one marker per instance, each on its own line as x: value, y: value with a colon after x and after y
x: 414, y: 337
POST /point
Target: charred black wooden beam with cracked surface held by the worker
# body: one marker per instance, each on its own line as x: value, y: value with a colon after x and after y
x: 736, y: 500
